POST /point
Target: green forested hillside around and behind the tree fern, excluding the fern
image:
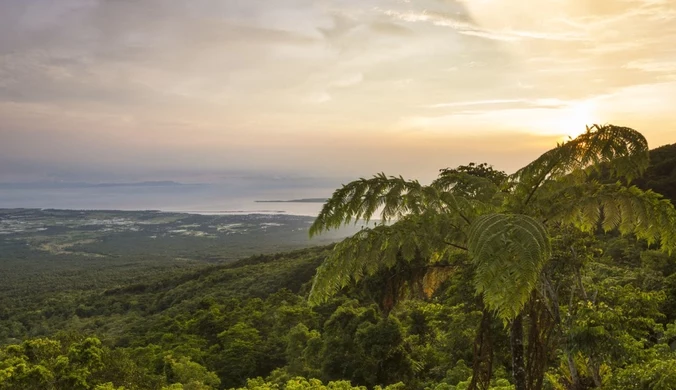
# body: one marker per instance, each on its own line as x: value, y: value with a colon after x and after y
x: 248, y: 325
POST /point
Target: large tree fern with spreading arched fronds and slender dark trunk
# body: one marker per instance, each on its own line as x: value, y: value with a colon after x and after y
x: 503, y: 228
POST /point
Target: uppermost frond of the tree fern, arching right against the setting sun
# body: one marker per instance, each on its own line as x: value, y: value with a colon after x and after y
x: 623, y: 150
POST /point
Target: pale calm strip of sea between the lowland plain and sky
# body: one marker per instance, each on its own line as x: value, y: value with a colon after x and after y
x: 230, y: 198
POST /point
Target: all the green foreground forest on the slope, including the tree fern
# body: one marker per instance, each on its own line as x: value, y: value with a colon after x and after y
x: 559, y: 276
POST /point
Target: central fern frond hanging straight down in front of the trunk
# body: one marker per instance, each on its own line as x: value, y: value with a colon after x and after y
x: 508, y: 251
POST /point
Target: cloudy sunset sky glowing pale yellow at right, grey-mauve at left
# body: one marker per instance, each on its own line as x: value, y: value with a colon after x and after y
x: 201, y: 90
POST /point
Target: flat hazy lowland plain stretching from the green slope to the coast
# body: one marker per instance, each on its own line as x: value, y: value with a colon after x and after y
x: 47, y: 256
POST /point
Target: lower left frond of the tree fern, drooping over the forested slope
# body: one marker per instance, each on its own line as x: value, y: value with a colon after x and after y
x: 430, y: 236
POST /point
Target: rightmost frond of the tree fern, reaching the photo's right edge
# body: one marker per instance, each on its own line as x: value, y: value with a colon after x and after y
x: 614, y: 206
